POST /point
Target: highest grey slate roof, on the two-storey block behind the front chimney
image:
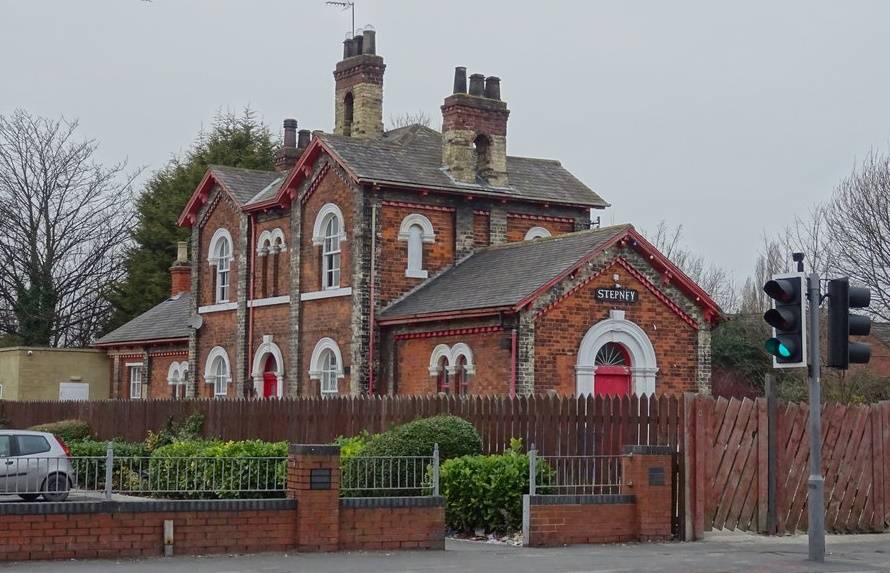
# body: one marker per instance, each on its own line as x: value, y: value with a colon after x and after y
x: 413, y: 156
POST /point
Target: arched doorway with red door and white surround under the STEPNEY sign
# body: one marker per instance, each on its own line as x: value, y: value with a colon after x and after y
x: 604, y: 347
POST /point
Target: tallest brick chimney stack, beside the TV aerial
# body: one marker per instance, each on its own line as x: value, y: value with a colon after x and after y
x: 358, y: 92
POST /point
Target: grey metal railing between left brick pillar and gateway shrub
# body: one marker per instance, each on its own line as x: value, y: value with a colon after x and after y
x: 371, y: 476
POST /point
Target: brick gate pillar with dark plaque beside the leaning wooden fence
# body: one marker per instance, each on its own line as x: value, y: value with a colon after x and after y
x: 647, y: 475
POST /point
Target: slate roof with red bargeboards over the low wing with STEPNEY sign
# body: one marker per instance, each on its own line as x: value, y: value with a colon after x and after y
x: 507, y: 277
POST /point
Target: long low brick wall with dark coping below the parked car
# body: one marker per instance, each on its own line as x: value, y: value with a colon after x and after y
x: 83, y: 530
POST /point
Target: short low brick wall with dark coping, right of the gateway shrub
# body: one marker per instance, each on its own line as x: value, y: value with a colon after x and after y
x: 569, y: 519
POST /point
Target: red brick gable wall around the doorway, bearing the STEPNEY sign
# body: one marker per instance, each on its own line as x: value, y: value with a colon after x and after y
x: 559, y: 330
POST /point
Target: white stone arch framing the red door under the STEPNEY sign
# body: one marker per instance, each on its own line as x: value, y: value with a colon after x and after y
x: 616, y: 328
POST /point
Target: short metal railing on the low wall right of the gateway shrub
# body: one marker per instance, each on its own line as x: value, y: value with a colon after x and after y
x: 574, y: 475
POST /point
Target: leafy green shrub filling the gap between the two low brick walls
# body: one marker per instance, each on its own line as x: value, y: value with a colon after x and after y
x: 485, y: 492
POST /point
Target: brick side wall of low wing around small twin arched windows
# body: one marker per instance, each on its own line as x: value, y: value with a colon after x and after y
x: 491, y: 355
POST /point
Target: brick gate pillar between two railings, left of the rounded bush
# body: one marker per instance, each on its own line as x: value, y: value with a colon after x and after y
x: 313, y: 479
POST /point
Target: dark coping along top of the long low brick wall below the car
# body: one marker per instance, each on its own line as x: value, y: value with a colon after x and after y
x: 153, y: 506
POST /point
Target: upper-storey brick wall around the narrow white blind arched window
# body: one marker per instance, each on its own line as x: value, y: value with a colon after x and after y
x: 393, y: 257
